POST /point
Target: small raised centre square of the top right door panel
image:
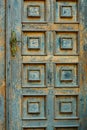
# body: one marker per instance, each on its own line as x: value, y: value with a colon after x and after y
x: 66, y: 11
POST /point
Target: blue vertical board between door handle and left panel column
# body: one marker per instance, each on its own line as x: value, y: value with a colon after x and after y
x: 15, y: 90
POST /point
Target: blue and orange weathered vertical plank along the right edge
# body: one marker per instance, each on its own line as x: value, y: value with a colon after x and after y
x: 83, y: 65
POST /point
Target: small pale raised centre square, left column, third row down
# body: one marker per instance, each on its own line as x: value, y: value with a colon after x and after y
x: 34, y: 75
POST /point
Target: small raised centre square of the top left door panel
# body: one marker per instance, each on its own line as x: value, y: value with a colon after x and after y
x: 33, y: 11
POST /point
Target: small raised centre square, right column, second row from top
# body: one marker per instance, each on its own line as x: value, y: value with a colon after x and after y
x: 66, y: 43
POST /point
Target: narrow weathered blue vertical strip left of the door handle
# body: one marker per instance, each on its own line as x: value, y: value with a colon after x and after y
x: 8, y: 61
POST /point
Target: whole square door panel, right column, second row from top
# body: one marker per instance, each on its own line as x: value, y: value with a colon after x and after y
x: 66, y: 43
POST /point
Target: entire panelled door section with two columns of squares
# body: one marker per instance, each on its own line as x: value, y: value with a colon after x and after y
x: 50, y: 69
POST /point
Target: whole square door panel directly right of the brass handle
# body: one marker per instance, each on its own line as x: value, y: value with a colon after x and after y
x: 34, y: 43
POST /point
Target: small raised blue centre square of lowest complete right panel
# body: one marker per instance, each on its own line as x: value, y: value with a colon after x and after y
x: 66, y: 107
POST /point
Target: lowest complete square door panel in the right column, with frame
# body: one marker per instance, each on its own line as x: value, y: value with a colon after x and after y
x: 66, y: 106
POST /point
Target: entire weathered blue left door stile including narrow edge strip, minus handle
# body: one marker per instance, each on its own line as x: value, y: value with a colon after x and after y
x: 13, y: 66
